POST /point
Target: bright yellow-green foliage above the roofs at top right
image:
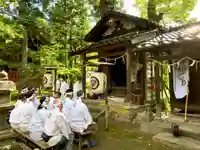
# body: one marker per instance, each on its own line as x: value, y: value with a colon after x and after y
x: 174, y: 10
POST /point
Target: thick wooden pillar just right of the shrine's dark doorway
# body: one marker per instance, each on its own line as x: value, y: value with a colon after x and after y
x: 128, y: 75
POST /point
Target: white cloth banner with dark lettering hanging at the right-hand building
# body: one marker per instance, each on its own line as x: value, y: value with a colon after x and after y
x: 181, y: 79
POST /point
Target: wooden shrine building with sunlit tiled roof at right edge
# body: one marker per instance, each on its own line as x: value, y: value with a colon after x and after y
x: 173, y: 46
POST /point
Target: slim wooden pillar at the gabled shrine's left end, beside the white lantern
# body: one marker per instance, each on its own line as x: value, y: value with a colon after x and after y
x: 83, y: 69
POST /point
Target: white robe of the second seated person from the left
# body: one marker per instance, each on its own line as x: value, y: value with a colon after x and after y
x: 26, y: 115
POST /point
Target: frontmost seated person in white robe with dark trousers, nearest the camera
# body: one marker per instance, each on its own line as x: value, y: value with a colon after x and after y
x: 57, y: 131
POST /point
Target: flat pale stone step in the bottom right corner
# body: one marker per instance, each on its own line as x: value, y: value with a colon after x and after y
x: 177, y: 142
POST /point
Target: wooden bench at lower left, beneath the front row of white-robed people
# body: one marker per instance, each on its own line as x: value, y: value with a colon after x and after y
x: 42, y: 145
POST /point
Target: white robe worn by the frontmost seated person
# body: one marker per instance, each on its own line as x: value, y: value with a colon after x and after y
x: 56, y: 126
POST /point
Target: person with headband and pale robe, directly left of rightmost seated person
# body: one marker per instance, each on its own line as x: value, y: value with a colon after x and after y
x: 68, y: 104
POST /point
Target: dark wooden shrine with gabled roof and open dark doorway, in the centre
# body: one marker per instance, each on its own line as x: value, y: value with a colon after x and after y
x: 115, y: 38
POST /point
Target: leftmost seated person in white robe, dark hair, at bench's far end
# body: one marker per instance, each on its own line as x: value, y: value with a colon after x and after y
x: 15, y: 115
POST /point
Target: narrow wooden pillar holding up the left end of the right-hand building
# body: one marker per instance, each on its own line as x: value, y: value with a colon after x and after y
x: 157, y: 81
